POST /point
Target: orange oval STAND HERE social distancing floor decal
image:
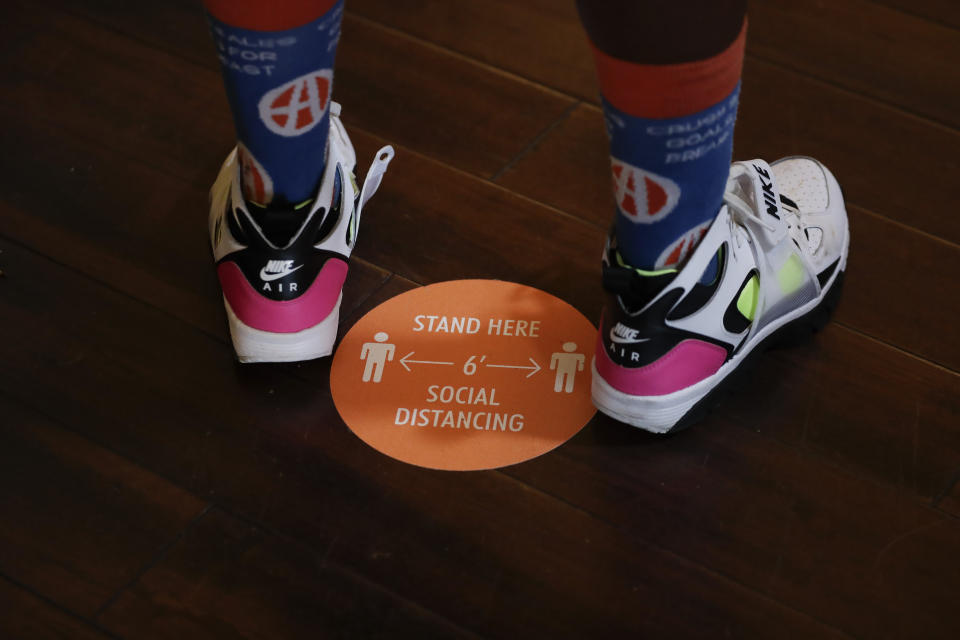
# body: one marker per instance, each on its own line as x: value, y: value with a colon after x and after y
x: 464, y: 375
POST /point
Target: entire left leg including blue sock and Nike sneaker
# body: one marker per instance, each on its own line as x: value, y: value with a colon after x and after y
x: 285, y: 207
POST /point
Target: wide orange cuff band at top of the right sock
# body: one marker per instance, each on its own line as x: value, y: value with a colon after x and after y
x: 670, y: 90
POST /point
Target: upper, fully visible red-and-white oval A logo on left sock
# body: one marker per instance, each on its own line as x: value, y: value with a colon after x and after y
x: 297, y: 106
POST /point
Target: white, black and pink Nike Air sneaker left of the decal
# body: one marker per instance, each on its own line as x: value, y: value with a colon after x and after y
x: 282, y: 271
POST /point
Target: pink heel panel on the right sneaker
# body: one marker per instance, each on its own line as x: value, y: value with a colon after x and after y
x: 686, y: 364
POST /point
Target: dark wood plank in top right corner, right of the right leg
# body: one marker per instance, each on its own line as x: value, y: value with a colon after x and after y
x: 864, y: 47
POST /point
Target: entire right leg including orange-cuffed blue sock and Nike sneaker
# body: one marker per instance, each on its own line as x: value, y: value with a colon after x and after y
x: 708, y: 262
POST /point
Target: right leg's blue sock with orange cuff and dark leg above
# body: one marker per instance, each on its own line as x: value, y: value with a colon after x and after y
x: 670, y: 115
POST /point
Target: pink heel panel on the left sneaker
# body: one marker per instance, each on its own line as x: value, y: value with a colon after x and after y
x: 286, y: 316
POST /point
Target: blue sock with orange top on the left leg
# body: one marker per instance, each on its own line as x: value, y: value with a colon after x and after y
x: 277, y: 62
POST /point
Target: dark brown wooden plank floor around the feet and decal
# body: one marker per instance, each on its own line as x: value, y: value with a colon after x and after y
x: 152, y: 488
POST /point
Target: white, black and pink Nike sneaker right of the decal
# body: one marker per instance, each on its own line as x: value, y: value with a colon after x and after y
x: 771, y: 264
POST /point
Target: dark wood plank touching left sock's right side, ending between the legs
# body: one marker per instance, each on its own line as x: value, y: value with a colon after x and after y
x: 450, y: 109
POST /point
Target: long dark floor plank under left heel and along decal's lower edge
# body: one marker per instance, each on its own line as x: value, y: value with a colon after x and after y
x: 261, y: 442
